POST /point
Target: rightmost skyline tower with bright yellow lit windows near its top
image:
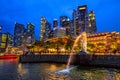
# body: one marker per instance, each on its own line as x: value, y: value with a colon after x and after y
x: 92, y: 23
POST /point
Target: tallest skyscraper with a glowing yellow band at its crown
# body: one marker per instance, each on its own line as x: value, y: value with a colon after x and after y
x: 82, y: 18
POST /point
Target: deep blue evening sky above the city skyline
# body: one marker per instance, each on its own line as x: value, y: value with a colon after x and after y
x: 23, y: 11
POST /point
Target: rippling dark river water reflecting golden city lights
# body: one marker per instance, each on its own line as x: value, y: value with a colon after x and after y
x: 13, y: 70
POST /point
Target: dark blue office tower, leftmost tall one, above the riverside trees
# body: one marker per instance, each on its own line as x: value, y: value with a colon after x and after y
x: 18, y: 34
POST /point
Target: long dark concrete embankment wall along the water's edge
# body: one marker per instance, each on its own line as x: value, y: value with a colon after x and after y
x: 112, y: 61
